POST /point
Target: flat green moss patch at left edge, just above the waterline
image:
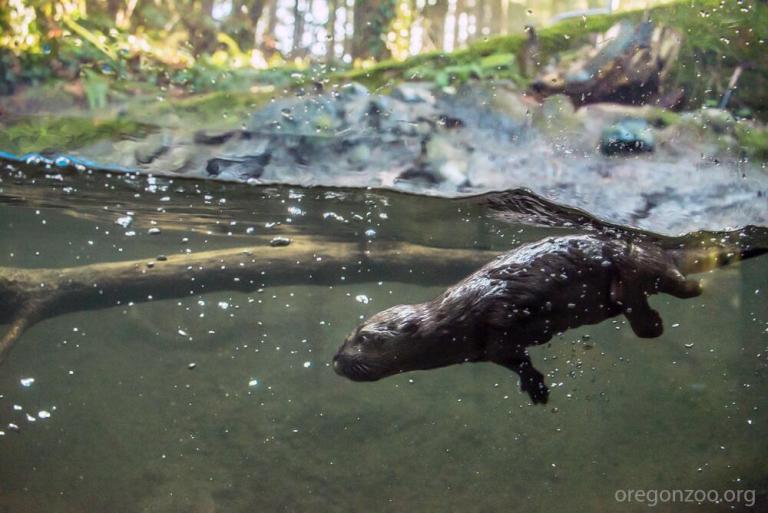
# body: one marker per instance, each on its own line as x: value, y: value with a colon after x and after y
x: 56, y: 134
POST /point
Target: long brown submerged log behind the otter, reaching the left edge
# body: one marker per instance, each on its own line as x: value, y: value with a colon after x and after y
x: 31, y: 295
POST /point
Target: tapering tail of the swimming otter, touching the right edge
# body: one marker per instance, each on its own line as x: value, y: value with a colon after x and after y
x: 703, y: 251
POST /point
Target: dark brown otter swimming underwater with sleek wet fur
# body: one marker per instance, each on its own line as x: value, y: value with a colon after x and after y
x: 523, y: 298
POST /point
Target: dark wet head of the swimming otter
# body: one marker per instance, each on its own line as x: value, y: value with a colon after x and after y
x: 388, y: 343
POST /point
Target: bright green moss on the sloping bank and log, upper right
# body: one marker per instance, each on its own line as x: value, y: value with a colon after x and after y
x: 717, y: 37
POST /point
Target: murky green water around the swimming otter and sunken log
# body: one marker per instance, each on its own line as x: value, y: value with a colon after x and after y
x: 260, y: 422
